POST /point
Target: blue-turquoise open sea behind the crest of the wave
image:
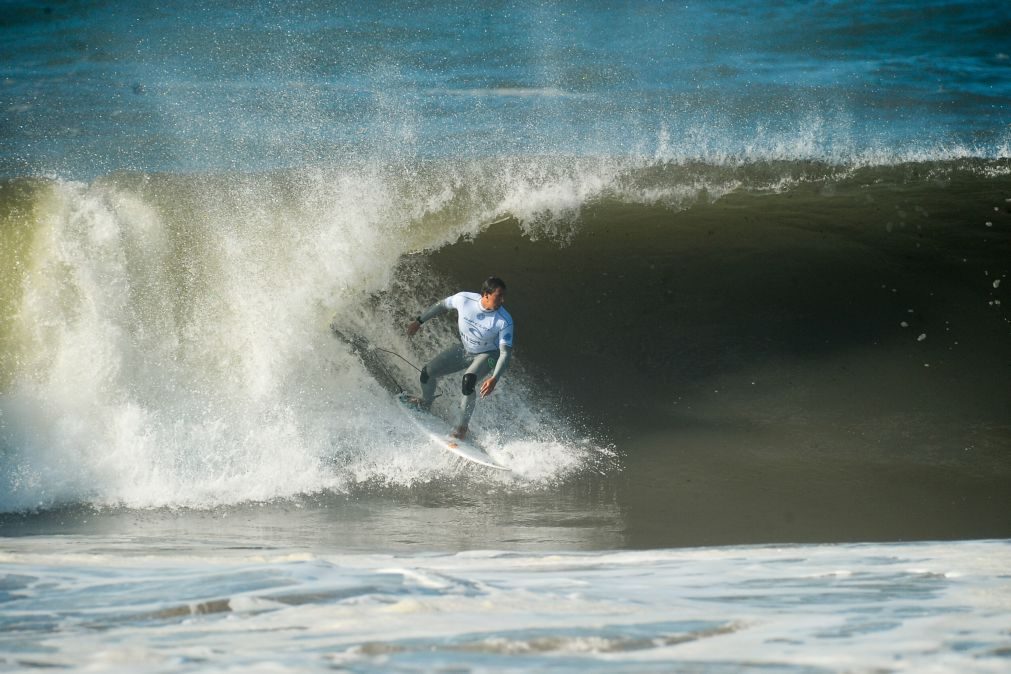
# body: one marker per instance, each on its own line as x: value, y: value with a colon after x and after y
x: 90, y: 88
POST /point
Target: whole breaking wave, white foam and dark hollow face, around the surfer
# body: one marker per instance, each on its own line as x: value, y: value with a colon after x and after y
x: 166, y: 338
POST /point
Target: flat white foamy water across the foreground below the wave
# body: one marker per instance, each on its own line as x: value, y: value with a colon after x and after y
x: 901, y: 608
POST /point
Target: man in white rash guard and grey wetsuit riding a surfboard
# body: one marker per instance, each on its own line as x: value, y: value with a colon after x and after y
x: 486, y: 346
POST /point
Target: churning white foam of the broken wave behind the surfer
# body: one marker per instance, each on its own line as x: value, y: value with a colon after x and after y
x: 171, y: 344
